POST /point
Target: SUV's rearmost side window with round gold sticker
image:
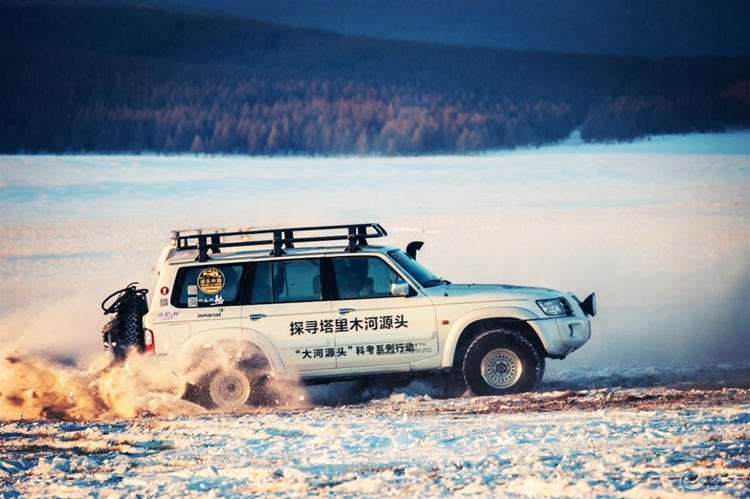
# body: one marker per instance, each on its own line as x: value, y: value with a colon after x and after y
x: 207, y: 286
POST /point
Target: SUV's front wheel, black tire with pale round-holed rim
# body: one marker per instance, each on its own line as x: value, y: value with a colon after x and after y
x: 501, y: 362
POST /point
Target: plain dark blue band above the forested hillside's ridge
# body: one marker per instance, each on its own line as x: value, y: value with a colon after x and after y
x: 653, y: 28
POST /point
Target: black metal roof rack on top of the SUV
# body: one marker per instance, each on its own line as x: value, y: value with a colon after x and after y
x: 204, y: 240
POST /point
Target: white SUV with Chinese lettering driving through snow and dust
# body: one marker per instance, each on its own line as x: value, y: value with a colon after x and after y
x: 227, y: 315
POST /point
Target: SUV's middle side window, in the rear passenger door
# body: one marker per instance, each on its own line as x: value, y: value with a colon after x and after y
x: 281, y: 281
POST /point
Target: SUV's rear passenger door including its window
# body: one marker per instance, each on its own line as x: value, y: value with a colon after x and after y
x: 287, y: 308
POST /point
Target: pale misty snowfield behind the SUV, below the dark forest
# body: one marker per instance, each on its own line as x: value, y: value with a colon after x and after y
x: 659, y: 229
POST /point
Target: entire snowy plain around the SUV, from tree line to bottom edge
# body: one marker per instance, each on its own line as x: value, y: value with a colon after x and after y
x: 660, y: 229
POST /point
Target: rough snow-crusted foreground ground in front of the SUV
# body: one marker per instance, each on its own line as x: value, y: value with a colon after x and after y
x: 380, y: 449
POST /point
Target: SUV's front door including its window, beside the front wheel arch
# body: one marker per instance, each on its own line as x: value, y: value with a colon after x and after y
x: 374, y: 330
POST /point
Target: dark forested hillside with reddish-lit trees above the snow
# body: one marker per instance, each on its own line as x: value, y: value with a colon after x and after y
x: 111, y: 80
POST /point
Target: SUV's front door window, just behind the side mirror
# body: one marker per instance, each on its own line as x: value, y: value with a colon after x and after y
x: 363, y: 277
